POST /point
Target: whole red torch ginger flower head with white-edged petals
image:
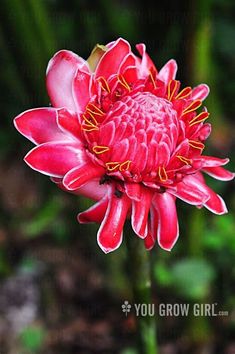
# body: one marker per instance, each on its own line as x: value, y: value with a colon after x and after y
x: 128, y: 136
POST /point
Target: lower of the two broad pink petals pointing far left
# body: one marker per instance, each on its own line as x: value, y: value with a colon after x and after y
x: 55, y: 158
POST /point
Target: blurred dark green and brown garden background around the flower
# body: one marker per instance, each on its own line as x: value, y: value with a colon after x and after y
x: 58, y: 292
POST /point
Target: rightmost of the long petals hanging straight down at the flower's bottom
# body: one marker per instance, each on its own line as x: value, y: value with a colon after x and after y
x: 168, y: 229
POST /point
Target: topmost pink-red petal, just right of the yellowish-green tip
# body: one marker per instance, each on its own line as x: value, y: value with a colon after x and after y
x: 112, y: 59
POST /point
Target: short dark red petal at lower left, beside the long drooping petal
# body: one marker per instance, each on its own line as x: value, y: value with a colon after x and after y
x: 95, y: 213
